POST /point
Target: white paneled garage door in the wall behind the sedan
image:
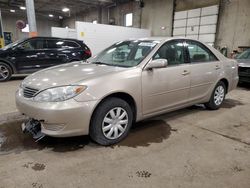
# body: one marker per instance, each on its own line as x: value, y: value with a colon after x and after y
x: 197, y: 24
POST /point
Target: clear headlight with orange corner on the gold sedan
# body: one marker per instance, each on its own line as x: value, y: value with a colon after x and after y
x: 59, y: 93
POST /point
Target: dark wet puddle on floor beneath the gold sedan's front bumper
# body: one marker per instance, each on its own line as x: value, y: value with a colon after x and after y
x: 12, y: 140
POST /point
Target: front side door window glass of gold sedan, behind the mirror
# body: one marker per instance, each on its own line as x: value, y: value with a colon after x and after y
x: 172, y: 51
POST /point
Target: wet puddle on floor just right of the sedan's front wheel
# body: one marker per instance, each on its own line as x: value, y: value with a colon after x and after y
x: 146, y: 132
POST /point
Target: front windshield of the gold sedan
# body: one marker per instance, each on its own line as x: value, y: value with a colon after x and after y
x: 125, y: 54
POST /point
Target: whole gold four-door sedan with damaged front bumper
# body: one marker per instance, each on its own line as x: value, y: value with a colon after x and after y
x: 130, y: 81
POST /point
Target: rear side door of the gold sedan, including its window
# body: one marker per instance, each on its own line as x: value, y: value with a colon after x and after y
x: 204, y: 69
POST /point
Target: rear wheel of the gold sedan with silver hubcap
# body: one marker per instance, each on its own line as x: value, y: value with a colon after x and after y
x: 217, y: 97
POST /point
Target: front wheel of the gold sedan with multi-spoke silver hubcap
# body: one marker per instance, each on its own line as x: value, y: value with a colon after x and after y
x: 105, y: 127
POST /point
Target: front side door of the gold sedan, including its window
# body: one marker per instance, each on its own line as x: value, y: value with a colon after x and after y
x: 166, y: 88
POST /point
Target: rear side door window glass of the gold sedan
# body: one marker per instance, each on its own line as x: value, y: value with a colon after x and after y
x: 199, y: 53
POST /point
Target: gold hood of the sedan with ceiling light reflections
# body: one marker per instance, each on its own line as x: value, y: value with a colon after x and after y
x: 67, y: 74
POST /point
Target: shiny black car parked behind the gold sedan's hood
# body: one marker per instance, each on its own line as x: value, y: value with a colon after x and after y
x: 33, y: 54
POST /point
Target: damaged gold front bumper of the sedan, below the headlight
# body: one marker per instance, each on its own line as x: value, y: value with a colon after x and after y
x: 59, y: 119
